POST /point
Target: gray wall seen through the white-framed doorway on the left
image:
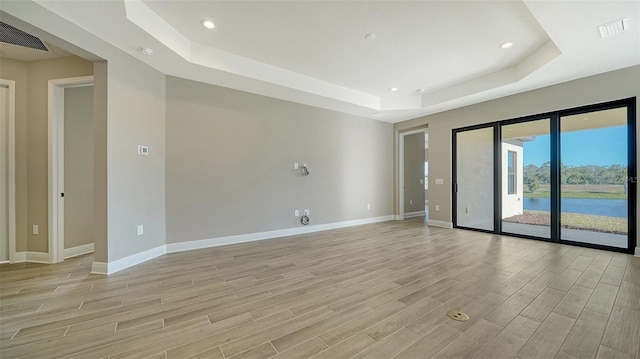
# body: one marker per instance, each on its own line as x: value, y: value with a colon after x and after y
x: 78, y: 166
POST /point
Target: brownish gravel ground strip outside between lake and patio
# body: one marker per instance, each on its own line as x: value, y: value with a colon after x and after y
x: 586, y: 222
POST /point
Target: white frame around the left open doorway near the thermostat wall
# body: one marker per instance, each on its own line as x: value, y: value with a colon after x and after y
x: 56, y: 161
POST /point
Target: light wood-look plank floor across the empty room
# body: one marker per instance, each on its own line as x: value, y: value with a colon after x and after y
x: 375, y: 291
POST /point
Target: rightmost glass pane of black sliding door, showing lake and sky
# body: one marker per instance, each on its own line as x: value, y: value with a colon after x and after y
x: 593, y: 177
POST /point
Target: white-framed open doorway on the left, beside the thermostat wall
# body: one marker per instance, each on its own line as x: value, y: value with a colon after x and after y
x: 70, y: 167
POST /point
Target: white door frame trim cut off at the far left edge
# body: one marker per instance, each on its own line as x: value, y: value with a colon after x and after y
x: 11, y: 173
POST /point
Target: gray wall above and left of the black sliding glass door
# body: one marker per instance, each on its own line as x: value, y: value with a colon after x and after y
x: 605, y: 87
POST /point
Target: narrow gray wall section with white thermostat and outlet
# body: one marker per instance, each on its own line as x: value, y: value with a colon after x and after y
x: 136, y: 184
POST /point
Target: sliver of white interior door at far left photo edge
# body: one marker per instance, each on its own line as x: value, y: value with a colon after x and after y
x: 4, y: 173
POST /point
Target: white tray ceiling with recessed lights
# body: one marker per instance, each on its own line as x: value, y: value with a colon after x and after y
x: 315, y: 52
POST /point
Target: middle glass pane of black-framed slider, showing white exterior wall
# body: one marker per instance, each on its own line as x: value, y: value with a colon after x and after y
x: 526, y: 178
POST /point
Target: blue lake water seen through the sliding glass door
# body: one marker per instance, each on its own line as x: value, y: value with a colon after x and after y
x: 598, y: 207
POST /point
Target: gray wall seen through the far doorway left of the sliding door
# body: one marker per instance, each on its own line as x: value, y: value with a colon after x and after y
x: 414, y: 153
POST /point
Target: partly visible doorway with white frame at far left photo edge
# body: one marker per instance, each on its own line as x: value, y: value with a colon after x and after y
x: 7, y: 171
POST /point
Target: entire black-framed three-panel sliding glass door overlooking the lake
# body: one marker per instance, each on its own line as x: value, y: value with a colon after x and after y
x: 568, y: 176
